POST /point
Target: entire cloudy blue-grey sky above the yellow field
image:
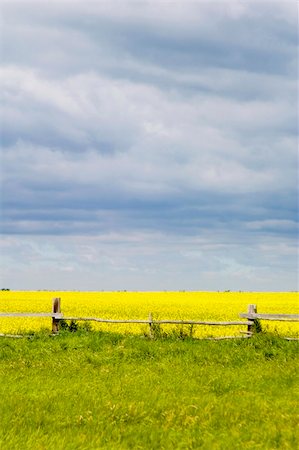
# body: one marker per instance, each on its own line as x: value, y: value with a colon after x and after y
x: 149, y: 145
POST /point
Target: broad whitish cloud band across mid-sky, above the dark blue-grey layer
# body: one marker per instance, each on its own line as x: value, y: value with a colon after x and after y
x: 139, y: 134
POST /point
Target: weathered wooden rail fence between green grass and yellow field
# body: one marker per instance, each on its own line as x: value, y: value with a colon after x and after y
x: 252, y: 322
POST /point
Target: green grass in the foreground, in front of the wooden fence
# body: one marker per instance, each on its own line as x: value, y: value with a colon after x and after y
x: 106, y: 391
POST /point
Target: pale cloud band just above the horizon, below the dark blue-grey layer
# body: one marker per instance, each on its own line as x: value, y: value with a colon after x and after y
x: 150, y: 262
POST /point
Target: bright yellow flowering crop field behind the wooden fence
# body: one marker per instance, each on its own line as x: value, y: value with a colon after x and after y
x: 216, y: 306
